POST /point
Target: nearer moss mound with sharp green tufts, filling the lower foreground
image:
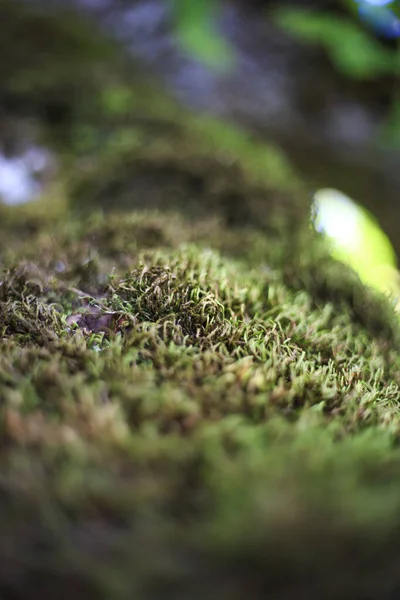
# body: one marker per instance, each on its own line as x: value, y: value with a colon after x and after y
x: 185, y: 414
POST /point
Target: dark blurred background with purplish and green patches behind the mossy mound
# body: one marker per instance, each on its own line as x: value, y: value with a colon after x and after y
x: 319, y: 78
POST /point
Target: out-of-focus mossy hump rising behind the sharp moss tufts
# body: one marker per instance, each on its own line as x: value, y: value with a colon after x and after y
x: 159, y: 156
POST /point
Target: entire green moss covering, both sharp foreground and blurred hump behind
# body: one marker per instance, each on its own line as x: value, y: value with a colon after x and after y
x: 196, y: 401
